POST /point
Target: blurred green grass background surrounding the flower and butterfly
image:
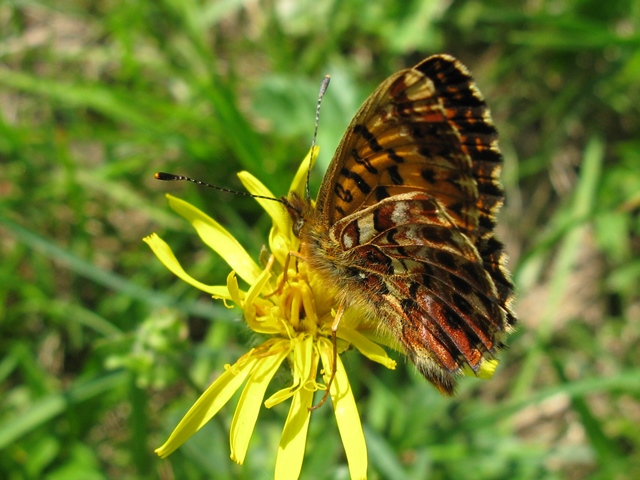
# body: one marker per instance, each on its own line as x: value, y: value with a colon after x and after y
x: 103, y: 350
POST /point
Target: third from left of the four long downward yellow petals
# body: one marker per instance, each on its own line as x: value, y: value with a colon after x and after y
x: 294, y: 434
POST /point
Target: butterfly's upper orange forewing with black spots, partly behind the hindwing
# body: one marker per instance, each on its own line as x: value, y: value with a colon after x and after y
x: 425, y: 129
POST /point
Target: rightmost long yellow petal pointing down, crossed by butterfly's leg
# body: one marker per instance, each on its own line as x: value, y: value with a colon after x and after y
x: 346, y: 412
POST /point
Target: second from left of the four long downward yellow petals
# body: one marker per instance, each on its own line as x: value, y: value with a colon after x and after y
x: 246, y: 414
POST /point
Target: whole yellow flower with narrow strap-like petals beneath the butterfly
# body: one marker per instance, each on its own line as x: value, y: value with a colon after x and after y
x: 296, y: 312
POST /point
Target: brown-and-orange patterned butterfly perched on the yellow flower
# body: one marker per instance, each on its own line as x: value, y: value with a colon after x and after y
x: 403, y: 225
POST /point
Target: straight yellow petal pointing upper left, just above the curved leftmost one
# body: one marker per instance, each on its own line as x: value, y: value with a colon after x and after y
x: 218, y: 239
